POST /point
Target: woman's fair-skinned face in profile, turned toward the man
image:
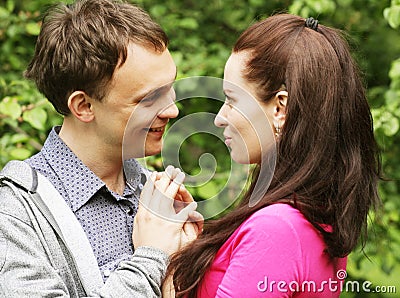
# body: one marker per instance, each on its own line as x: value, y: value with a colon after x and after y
x: 245, y: 119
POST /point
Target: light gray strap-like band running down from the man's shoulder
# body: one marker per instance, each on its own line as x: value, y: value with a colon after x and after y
x: 62, y: 219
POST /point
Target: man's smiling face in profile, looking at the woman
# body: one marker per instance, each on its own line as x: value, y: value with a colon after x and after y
x: 140, y: 102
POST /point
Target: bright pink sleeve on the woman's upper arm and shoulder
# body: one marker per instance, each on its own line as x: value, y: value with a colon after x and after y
x: 266, y: 254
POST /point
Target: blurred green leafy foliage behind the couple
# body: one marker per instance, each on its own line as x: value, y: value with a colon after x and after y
x: 202, y: 34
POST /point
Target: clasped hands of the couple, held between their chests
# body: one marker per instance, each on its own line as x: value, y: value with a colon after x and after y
x: 167, y: 218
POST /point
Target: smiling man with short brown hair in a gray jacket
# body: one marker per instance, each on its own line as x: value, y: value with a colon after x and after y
x: 96, y: 61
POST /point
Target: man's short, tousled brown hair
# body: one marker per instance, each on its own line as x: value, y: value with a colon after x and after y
x: 80, y: 45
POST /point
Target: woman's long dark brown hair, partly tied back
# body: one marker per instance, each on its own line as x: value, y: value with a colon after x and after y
x: 328, y: 163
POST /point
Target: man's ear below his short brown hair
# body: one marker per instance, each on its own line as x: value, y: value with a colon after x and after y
x: 80, y: 106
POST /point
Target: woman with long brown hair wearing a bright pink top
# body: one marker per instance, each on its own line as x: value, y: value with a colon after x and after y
x: 295, y: 239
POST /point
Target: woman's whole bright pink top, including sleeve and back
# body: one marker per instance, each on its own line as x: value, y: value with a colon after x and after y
x: 274, y: 253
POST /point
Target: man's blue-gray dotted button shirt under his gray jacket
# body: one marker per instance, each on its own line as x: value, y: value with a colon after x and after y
x: 105, y: 216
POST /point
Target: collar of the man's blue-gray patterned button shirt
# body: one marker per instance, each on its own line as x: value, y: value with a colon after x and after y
x: 79, y: 182
